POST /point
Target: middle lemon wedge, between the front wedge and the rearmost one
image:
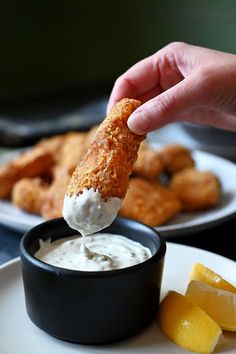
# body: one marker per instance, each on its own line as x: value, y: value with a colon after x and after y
x: 219, y: 304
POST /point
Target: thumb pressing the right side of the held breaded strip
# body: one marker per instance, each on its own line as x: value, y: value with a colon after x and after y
x: 168, y: 106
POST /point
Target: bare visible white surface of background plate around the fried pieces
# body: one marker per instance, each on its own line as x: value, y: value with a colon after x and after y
x: 183, y: 223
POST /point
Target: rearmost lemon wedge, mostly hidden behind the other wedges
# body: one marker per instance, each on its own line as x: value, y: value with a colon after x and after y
x: 206, y: 275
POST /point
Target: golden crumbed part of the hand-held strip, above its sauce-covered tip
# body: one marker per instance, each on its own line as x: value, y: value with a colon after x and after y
x: 110, y: 158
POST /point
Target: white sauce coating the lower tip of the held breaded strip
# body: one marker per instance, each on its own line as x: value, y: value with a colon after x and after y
x: 88, y: 212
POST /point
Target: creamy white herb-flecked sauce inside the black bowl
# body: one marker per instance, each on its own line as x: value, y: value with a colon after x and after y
x: 102, y: 252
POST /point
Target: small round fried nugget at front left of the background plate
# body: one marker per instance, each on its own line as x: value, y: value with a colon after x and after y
x: 29, y: 194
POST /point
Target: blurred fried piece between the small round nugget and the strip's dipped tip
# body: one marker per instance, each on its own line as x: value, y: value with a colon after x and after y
x: 53, y: 202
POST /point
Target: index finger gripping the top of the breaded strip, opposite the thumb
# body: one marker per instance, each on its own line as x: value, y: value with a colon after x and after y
x: 139, y: 79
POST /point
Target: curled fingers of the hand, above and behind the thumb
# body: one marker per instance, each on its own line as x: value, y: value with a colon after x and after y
x: 150, y: 76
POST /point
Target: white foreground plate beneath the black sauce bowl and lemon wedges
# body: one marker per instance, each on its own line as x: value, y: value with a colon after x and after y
x: 19, y: 335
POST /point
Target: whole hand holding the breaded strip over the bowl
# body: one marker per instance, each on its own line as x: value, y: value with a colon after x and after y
x: 180, y: 82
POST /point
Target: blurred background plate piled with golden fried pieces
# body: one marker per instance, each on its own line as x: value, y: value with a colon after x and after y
x: 173, y: 189
